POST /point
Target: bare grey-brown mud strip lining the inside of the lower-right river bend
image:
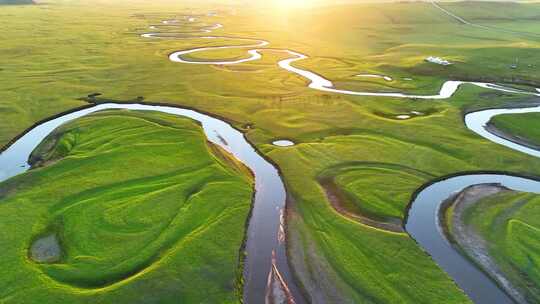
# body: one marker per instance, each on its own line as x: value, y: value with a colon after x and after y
x: 465, y: 238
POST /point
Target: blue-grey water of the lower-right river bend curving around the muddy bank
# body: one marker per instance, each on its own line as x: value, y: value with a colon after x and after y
x: 428, y: 235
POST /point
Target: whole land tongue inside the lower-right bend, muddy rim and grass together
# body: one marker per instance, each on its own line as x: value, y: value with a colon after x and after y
x: 495, y: 228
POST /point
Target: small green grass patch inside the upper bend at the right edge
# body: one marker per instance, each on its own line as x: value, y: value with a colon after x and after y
x: 524, y: 126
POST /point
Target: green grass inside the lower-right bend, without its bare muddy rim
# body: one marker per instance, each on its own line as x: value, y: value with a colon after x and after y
x: 509, y: 222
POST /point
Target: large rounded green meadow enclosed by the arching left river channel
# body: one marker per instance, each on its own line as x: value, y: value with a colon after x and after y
x: 145, y: 210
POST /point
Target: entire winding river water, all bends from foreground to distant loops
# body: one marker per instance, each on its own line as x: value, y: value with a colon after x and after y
x: 265, y: 247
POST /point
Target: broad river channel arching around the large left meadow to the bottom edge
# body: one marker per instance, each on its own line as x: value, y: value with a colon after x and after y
x: 265, y: 246
